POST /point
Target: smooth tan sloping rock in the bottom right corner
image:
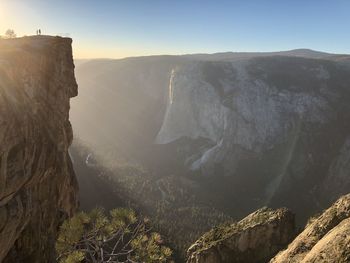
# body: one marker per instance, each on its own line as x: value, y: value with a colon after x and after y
x: 325, y: 239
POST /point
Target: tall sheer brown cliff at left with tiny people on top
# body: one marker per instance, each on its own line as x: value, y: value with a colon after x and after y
x: 37, y: 182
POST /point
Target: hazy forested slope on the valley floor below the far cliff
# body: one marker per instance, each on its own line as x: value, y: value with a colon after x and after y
x: 169, y: 201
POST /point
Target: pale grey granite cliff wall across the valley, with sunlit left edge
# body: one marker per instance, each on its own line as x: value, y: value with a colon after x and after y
x: 252, y: 110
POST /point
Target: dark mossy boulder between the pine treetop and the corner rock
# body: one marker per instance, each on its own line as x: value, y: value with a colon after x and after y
x: 256, y: 238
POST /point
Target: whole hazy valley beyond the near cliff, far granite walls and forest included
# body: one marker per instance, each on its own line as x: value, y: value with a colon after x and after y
x: 214, y: 137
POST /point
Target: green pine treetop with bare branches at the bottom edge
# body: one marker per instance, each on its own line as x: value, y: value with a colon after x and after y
x: 118, y: 237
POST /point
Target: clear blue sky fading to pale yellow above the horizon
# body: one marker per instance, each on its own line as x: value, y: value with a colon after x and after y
x: 120, y: 28
